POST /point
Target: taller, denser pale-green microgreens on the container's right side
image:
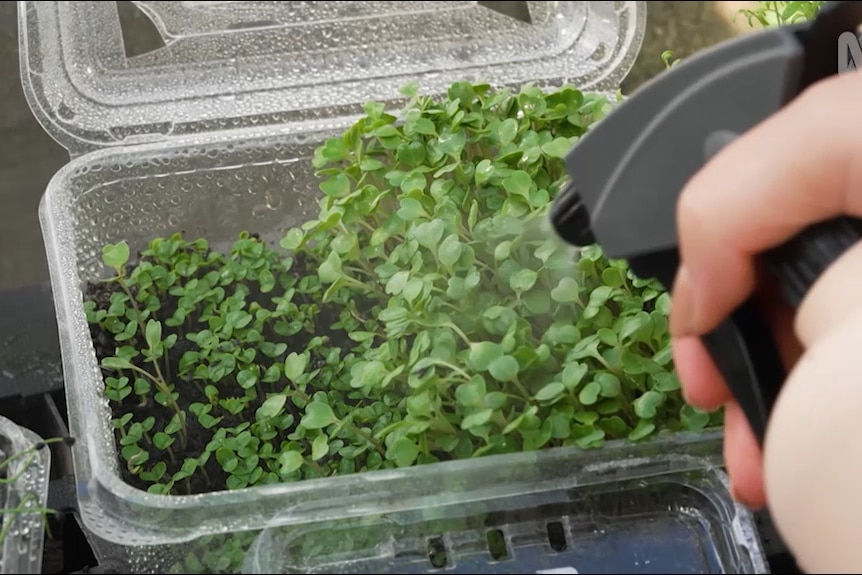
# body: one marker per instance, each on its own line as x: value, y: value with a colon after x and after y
x: 507, y: 340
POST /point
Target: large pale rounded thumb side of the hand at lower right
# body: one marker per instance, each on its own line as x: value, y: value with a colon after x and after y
x: 813, y: 453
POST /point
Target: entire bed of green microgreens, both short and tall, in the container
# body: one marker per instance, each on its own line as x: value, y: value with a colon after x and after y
x: 425, y: 314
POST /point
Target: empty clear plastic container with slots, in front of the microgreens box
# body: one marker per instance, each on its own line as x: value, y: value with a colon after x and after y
x: 626, y: 510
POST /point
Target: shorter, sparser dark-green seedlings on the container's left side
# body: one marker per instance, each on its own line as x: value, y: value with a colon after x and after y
x: 200, y: 371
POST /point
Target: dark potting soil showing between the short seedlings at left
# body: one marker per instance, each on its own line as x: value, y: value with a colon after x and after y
x: 214, y: 477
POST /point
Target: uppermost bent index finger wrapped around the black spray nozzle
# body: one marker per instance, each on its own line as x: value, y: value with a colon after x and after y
x: 796, y: 168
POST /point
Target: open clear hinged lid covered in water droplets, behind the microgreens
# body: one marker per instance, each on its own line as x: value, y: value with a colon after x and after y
x: 222, y: 65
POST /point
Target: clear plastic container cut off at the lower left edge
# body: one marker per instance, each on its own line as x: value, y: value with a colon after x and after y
x: 27, y: 494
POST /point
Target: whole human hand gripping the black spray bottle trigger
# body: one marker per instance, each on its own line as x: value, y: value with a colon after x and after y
x: 800, y: 166
